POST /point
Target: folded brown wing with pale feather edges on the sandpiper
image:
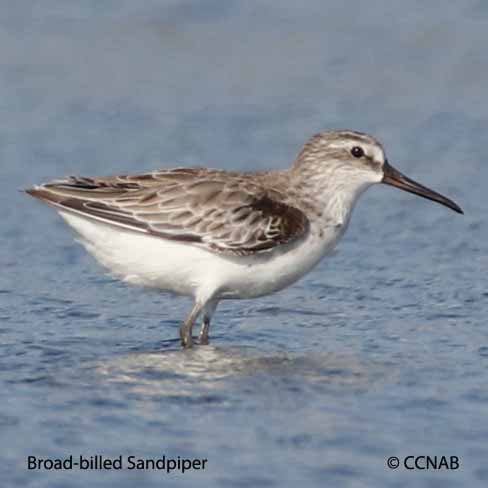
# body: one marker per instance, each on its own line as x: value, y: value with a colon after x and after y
x: 223, y: 212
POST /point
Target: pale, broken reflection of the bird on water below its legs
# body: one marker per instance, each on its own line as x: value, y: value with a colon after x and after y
x: 203, y: 370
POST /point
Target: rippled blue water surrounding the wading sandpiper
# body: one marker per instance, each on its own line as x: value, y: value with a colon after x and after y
x: 380, y: 351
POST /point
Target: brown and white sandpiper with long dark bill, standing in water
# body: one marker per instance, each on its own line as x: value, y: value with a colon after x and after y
x: 212, y: 234
